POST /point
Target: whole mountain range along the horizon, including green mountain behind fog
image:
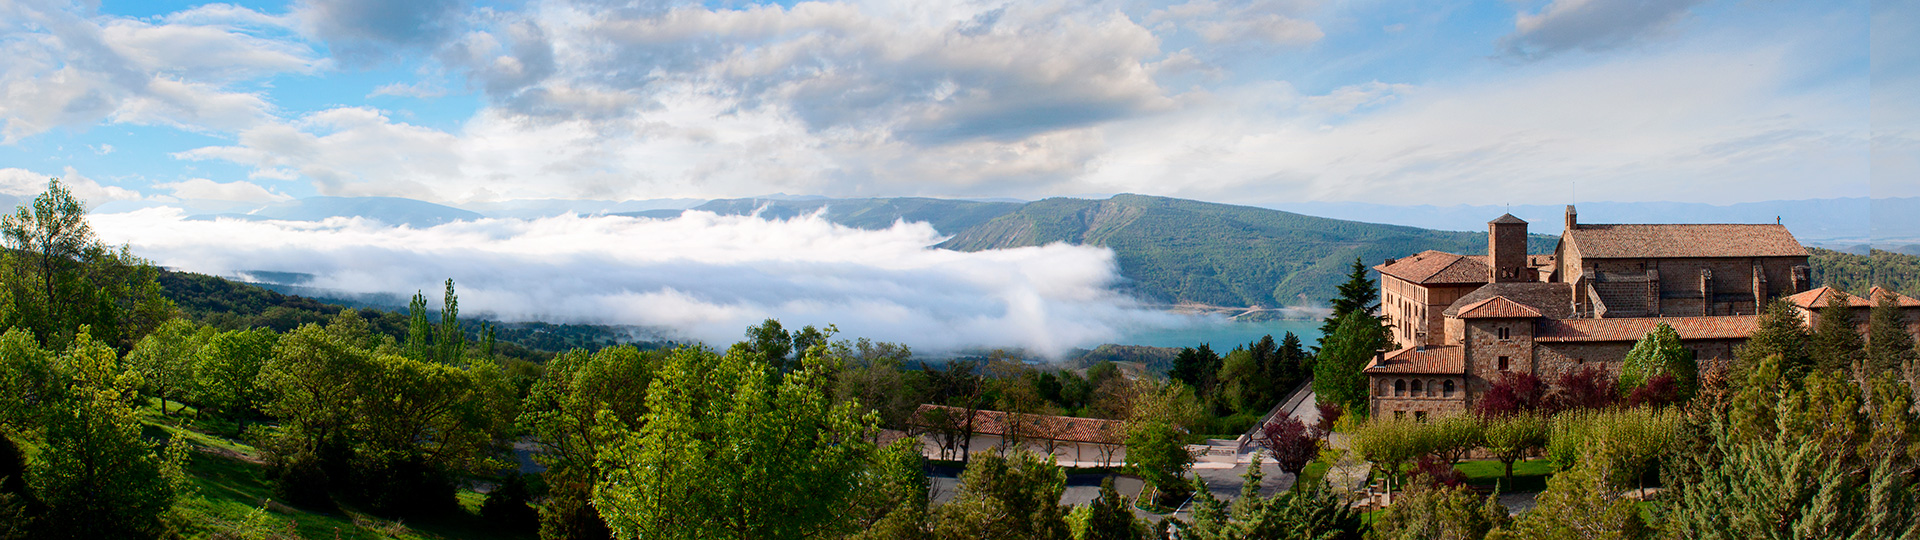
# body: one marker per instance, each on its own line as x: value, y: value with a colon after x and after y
x: 1178, y: 251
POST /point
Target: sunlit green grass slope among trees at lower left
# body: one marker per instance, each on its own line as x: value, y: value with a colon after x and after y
x: 231, y: 499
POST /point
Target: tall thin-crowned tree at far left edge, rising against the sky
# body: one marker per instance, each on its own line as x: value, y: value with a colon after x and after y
x: 60, y: 278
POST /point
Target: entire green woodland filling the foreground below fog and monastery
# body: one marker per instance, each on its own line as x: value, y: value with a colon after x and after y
x: 139, y: 414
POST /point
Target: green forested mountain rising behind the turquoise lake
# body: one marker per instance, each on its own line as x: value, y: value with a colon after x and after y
x: 1184, y: 251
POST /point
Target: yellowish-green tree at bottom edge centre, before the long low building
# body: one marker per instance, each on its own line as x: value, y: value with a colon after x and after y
x: 1013, y: 497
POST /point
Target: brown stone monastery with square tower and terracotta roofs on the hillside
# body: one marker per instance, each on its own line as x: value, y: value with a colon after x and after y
x: 1464, y: 320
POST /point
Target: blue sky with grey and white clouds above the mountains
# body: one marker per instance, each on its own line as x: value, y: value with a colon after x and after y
x: 1257, y: 103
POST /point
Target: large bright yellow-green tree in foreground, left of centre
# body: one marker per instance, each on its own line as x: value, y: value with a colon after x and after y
x: 719, y: 451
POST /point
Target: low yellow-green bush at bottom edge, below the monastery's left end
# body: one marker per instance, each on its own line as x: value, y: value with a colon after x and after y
x: 1441, y: 514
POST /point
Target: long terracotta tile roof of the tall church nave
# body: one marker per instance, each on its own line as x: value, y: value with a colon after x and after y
x: 1685, y: 241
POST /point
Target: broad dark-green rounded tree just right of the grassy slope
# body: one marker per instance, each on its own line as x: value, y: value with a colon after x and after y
x: 398, y: 453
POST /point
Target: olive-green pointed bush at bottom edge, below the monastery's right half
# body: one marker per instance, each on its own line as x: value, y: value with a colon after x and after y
x: 1579, y: 504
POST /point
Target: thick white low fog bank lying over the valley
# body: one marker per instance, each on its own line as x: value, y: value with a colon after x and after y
x: 704, y: 276
